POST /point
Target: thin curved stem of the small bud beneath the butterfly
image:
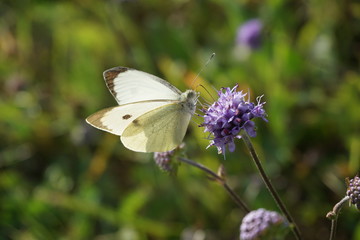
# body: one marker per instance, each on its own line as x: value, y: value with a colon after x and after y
x: 220, y: 180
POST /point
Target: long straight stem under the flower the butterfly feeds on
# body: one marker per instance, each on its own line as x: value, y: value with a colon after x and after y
x: 269, y: 186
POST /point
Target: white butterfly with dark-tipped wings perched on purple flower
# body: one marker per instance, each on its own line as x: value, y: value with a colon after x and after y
x: 152, y: 115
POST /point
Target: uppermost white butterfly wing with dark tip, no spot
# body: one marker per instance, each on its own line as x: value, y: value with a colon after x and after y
x: 130, y: 85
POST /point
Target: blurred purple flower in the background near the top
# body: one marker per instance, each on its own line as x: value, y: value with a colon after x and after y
x: 249, y: 34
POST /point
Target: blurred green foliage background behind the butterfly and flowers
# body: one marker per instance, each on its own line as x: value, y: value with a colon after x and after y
x: 62, y: 179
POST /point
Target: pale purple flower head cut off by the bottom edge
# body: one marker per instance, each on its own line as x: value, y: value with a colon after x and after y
x: 262, y: 224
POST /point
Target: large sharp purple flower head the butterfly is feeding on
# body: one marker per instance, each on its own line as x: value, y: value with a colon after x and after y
x: 228, y: 115
